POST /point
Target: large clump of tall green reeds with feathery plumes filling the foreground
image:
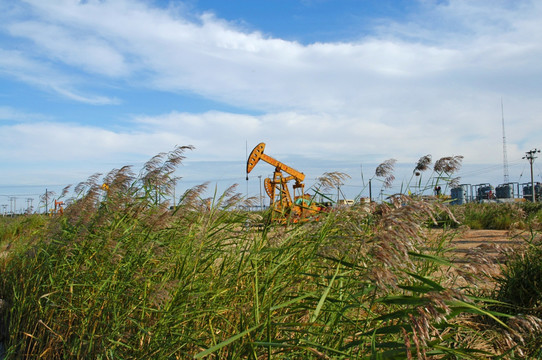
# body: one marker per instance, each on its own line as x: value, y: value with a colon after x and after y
x: 123, y: 275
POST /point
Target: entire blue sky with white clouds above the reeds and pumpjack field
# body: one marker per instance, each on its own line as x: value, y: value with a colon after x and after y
x: 342, y: 85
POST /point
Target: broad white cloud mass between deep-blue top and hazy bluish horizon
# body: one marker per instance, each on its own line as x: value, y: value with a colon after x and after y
x: 432, y: 84
